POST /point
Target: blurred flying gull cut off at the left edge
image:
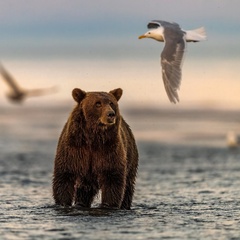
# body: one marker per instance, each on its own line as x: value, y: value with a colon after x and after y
x: 18, y: 94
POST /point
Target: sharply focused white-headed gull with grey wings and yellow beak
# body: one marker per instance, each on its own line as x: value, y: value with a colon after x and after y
x: 172, y: 55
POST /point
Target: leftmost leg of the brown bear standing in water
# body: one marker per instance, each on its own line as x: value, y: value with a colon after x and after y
x: 63, y: 188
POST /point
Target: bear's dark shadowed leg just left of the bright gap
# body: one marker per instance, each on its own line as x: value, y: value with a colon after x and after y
x: 86, y: 193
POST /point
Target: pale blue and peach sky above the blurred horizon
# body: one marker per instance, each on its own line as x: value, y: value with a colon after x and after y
x: 94, y: 45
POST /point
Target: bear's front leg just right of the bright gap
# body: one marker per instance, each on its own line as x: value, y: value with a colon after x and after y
x: 113, y: 184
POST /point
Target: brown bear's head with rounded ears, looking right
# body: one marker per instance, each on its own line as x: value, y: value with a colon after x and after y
x: 98, y: 108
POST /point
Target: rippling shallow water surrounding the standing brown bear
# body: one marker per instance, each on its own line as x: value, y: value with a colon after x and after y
x: 183, y: 191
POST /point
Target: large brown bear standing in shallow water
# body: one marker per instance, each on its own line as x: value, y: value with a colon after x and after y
x: 96, y: 150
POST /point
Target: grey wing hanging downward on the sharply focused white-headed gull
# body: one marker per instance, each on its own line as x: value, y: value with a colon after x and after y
x: 171, y: 60
